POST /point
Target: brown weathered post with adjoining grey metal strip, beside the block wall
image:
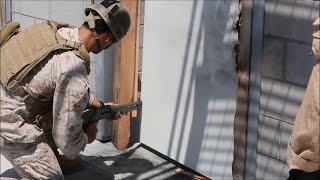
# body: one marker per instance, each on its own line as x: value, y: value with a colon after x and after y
x: 249, y: 60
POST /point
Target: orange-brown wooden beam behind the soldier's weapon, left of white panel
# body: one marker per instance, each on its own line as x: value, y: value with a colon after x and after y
x: 125, y: 74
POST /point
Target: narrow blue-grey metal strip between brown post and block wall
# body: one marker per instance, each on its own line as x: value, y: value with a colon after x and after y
x: 255, y: 87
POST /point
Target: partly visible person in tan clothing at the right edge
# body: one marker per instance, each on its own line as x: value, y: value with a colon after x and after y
x: 304, y: 148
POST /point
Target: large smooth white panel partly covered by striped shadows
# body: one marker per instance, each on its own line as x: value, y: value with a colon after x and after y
x: 189, y: 82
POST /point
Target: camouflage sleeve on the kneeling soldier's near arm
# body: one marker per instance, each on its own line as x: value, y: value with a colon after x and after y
x: 70, y: 99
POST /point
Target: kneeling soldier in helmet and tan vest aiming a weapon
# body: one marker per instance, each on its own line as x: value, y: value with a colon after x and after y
x: 44, y: 76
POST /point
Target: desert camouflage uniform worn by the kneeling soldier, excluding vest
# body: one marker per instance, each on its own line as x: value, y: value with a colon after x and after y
x: 60, y: 79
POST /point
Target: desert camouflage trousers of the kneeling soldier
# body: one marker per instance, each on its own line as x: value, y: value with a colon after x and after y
x: 24, y: 145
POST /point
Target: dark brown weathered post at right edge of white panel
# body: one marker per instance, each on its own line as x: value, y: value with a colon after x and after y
x: 242, y: 104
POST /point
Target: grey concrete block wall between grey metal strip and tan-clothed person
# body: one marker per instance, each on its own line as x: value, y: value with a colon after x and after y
x: 286, y: 68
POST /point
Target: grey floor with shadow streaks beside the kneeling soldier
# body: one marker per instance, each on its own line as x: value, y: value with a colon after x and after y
x: 104, y: 162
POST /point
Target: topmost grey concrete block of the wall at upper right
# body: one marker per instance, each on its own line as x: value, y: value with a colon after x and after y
x: 291, y: 19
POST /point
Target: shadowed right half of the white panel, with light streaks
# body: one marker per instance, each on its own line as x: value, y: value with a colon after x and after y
x: 210, y: 91
